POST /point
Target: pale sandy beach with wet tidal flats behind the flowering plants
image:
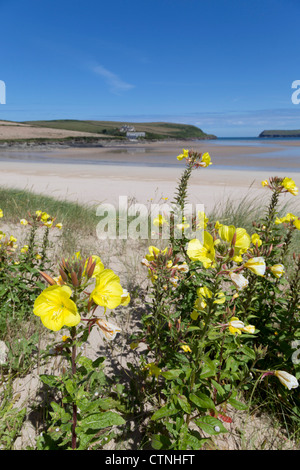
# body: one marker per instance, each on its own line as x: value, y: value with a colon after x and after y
x: 148, y: 171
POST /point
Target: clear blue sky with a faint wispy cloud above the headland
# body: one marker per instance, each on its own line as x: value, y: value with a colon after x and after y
x: 226, y: 66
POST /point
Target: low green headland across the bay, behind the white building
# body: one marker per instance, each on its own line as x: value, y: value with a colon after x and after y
x: 153, y: 130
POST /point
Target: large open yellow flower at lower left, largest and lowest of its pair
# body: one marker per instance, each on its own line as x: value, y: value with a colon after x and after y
x: 55, y: 308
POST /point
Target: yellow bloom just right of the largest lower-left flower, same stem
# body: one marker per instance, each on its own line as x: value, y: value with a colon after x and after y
x: 108, y: 290
